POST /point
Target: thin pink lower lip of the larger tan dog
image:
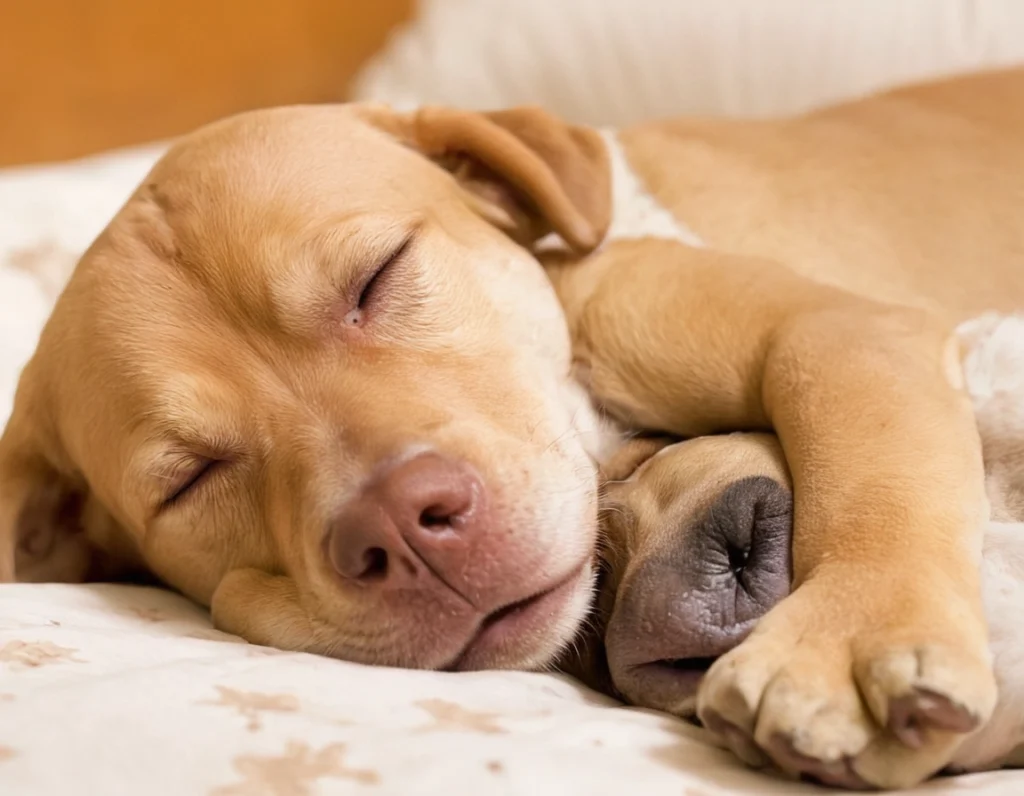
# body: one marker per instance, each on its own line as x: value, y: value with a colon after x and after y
x: 523, y: 617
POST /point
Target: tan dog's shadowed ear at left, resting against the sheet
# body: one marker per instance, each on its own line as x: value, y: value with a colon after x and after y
x: 50, y: 521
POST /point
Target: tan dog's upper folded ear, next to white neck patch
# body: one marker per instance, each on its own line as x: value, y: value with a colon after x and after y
x: 524, y: 170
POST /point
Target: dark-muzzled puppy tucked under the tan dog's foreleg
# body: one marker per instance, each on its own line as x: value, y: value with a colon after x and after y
x: 699, y: 550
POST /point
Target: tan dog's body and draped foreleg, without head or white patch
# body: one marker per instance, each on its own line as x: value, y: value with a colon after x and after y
x: 842, y: 248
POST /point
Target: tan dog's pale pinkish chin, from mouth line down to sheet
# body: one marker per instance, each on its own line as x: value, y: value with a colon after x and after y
x: 531, y: 634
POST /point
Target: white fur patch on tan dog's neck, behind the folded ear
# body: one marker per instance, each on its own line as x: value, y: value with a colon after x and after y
x: 635, y: 213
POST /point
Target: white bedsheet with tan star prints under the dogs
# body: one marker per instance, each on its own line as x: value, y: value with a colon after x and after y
x: 114, y: 690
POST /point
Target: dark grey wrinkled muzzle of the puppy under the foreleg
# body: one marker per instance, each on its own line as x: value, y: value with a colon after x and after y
x: 701, y: 595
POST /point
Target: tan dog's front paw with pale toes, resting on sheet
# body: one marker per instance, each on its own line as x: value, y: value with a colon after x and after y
x: 848, y: 705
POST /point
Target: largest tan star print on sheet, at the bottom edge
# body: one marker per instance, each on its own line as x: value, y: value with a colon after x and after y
x: 294, y: 773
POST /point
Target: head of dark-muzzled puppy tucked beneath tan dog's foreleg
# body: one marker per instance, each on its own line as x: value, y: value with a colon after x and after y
x: 699, y: 549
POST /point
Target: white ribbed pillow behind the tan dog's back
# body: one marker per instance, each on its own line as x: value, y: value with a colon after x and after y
x: 614, y: 62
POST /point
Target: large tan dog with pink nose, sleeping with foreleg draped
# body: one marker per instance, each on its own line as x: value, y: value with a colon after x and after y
x: 313, y: 375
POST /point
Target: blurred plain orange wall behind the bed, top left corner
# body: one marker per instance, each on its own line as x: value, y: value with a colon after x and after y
x: 79, y: 76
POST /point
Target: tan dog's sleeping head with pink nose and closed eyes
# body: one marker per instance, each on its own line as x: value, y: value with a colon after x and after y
x: 314, y: 345
